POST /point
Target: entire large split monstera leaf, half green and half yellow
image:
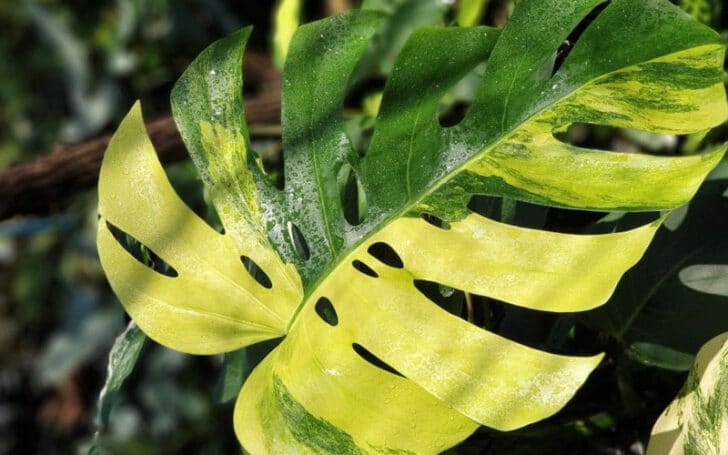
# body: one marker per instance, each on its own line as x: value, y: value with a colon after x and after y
x: 368, y: 362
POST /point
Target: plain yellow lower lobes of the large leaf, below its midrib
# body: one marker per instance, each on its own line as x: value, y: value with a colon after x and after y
x: 454, y: 373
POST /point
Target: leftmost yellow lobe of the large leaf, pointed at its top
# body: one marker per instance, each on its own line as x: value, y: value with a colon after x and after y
x: 213, y: 305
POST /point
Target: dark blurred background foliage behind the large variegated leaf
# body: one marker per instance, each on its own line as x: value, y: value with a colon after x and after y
x: 76, y: 66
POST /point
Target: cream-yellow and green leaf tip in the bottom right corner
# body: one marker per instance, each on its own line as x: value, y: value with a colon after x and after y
x: 697, y: 421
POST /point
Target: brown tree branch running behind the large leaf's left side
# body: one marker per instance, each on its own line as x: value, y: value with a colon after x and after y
x: 43, y: 185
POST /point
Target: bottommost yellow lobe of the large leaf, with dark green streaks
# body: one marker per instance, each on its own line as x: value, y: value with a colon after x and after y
x: 323, y: 380
